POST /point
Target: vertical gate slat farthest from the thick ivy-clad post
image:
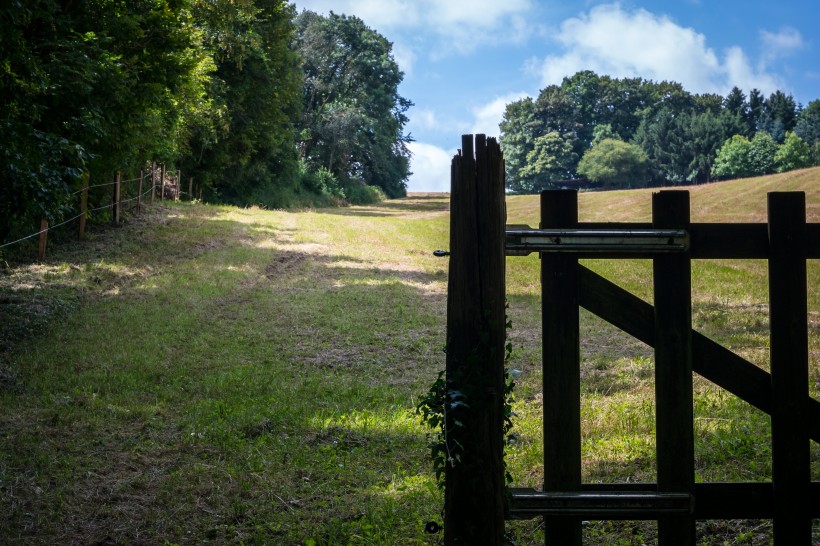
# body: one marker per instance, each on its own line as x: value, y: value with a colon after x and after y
x: 791, y: 470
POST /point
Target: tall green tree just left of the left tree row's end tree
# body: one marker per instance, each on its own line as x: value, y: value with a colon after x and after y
x: 244, y: 149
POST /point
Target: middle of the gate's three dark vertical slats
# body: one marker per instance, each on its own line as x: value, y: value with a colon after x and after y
x: 673, y: 367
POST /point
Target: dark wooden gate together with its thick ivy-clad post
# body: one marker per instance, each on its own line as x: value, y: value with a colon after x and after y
x: 790, y: 500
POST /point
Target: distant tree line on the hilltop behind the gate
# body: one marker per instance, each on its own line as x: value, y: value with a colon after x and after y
x: 632, y: 132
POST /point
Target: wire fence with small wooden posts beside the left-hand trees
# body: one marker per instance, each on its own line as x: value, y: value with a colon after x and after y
x: 167, y: 183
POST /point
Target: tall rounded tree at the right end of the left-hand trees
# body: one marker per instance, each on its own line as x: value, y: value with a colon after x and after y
x: 353, y: 116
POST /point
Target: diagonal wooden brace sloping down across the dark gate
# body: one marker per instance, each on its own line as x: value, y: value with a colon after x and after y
x: 711, y: 360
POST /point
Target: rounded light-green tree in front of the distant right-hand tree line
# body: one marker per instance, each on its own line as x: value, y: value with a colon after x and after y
x: 616, y: 163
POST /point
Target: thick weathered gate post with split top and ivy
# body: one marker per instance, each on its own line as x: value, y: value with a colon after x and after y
x: 474, y: 503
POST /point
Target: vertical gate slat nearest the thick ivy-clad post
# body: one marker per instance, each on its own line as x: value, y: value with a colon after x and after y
x: 561, y: 366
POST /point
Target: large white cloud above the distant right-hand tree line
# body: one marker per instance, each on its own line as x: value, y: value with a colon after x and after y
x: 622, y: 43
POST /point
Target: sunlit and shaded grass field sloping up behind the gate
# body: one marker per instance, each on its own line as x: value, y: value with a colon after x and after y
x: 208, y: 374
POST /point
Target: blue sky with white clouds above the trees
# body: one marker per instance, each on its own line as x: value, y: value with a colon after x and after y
x: 464, y: 60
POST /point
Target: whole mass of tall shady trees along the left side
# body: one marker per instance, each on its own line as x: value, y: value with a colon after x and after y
x: 259, y: 103
